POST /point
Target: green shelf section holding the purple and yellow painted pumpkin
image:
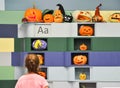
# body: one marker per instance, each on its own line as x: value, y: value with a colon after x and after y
x: 40, y: 44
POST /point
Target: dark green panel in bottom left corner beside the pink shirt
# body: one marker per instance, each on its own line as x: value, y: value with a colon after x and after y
x: 7, y: 83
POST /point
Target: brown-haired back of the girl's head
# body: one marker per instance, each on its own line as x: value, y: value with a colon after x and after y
x: 32, y: 63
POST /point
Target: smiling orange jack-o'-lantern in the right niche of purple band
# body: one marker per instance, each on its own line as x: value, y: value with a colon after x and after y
x: 80, y: 60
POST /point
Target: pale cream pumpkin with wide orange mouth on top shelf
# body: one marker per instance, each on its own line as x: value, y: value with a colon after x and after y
x: 81, y: 16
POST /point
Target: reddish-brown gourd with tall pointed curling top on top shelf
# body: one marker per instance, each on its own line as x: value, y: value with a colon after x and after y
x: 97, y: 17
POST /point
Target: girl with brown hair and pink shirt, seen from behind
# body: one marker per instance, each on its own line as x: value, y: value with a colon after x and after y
x: 32, y: 79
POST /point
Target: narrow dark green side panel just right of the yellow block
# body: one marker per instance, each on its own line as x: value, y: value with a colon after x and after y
x: 19, y: 44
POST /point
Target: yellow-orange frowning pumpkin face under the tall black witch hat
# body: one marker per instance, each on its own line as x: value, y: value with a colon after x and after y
x: 58, y: 16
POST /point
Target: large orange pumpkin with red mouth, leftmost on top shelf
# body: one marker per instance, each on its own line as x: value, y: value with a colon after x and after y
x: 33, y: 15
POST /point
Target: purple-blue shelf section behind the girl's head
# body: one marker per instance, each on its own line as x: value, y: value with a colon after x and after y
x: 49, y: 58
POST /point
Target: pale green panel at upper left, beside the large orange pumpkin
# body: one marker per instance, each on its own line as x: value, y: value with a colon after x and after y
x: 11, y: 17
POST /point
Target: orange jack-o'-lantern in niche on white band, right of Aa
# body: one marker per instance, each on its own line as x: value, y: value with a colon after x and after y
x: 86, y: 30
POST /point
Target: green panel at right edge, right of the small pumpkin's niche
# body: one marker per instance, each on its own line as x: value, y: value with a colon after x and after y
x: 106, y: 43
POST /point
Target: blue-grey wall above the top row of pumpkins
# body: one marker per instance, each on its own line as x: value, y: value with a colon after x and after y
x: 68, y: 4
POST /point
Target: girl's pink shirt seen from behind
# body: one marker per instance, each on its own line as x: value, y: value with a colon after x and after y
x: 31, y: 81
